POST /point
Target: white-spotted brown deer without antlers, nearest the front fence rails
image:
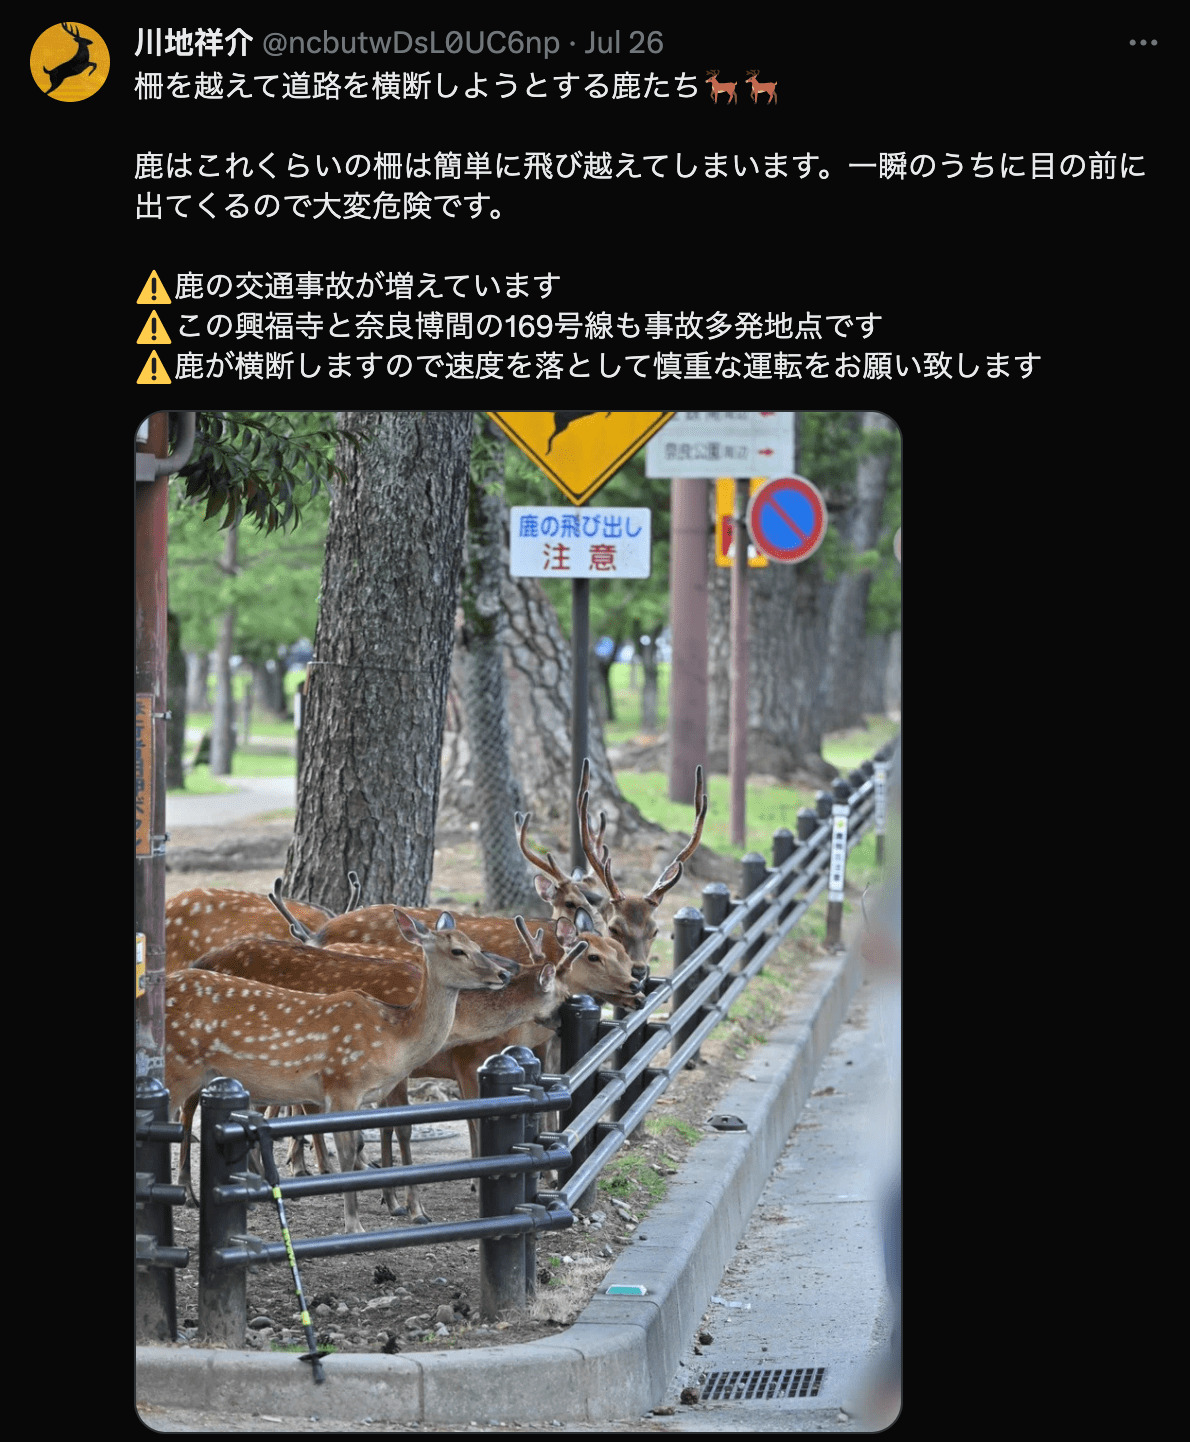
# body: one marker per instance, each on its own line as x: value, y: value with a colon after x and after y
x: 335, y: 1050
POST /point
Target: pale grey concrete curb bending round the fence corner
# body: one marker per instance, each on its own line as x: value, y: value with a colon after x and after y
x: 618, y: 1359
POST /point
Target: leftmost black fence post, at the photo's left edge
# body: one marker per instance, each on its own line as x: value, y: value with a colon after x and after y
x: 157, y: 1299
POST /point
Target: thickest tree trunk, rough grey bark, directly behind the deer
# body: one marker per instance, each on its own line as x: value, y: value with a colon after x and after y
x: 376, y: 706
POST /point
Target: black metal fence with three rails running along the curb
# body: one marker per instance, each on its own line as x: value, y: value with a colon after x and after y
x: 607, y: 1088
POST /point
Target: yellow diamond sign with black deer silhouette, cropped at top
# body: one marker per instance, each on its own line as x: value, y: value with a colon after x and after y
x: 581, y: 451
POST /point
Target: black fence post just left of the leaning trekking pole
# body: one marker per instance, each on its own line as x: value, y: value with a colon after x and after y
x: 223, y: 1290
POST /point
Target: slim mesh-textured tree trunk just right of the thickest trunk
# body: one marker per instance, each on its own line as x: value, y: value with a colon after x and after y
x: 507, y: 876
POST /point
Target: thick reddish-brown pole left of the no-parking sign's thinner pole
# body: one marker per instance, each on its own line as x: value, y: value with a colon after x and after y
x: 689, y: 631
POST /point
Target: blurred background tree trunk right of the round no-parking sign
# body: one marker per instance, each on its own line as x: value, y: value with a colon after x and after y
x: 843, y: 677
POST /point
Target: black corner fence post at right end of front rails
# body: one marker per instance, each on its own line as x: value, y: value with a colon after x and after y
x: 501, y: 1258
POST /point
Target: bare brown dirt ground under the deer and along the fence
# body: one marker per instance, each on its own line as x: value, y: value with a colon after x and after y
x: 428, y: 1299
